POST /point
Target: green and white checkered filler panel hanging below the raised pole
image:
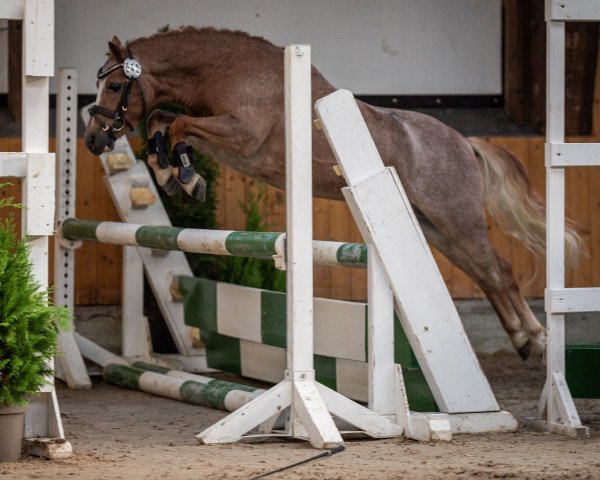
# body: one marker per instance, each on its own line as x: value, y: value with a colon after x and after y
x: 244, y: 331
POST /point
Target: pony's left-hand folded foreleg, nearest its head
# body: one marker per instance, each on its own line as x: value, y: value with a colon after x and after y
x: 156, y: 126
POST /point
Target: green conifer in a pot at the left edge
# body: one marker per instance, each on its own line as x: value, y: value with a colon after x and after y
x: 29, y: 327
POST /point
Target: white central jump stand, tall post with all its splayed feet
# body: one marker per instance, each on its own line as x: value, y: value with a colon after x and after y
x: 308, y: 402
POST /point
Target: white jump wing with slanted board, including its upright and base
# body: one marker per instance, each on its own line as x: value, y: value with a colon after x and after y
x: 429, y: 318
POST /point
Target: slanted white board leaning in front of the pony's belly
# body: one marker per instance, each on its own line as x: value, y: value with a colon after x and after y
x: 385, y: 218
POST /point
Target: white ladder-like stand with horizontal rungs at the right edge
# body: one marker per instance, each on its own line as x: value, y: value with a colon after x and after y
x: 556, y: 406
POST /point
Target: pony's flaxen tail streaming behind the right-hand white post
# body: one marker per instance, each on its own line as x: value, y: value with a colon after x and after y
x: 514, y: 205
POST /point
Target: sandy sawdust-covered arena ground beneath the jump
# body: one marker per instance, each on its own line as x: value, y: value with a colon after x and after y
x: 122, y: 434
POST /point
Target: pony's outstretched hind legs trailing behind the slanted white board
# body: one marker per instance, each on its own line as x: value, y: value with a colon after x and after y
x: 475, y: 255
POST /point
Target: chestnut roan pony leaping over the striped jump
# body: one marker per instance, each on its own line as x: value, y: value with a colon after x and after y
x: 231, y: 85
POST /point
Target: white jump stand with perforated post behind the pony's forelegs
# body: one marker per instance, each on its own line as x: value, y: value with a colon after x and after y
x: 160, y: 269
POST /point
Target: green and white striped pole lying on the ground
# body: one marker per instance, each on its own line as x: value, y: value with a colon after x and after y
x: 183, y: 386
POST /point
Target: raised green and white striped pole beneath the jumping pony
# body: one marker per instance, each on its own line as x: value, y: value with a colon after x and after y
x: 213, y: 242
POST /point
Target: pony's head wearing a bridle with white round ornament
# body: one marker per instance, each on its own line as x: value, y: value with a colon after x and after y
x: 118, y: 105
